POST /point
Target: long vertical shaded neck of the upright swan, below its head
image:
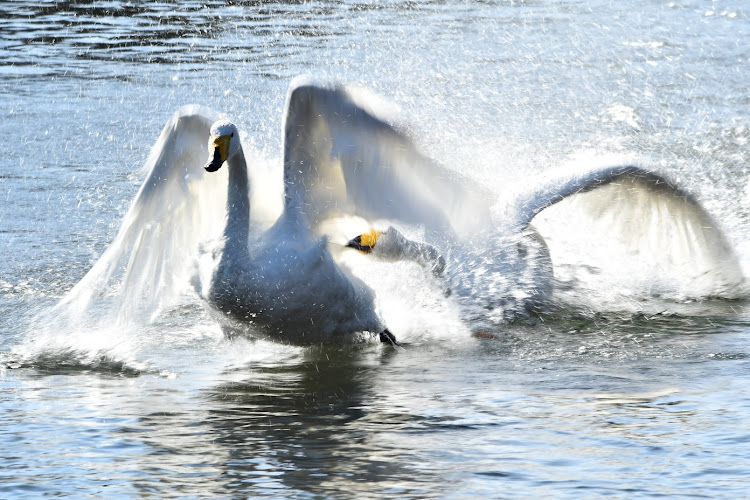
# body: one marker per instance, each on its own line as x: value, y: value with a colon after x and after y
x: 237, y: 227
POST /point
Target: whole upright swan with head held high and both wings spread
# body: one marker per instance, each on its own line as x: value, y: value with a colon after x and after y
x: 341, y: 157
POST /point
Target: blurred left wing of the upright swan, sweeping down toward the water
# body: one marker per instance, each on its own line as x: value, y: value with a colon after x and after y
x: 175, y: 209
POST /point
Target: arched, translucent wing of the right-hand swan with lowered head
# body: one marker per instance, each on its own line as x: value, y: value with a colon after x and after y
x: 659, y: 226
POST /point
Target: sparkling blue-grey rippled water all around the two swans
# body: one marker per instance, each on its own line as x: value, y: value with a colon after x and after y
x: 647, y: 399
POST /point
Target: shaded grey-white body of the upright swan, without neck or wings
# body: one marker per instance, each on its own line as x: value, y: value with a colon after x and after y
x: 289, y: 294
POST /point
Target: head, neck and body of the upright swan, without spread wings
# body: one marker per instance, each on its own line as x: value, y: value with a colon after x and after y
x: 283, y: 281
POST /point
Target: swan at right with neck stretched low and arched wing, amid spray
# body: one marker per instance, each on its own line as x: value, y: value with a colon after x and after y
x: 662, y: 226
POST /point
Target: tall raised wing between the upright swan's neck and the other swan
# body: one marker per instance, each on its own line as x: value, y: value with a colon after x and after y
x: 342, y: 156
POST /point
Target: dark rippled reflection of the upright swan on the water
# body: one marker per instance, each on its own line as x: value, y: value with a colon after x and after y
x: 315, y: 426
